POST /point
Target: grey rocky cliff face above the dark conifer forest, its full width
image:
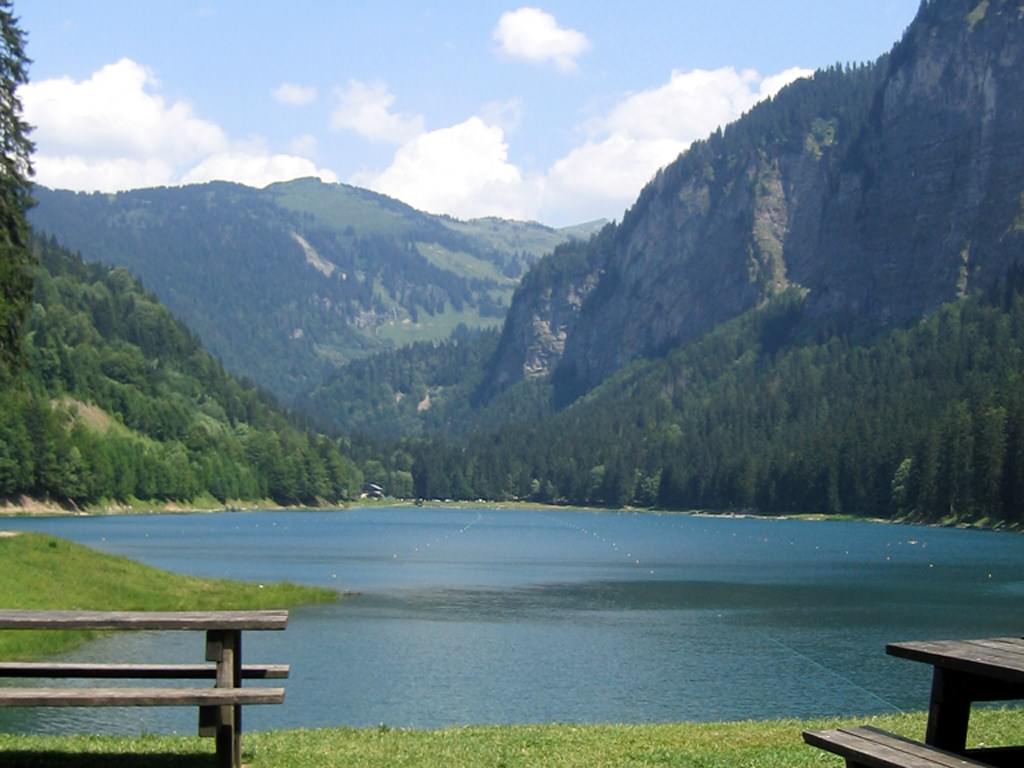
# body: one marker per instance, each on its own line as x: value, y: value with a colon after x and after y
x: 882, y: 192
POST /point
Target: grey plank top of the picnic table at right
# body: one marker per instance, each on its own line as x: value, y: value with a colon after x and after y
x: 1001, y: 659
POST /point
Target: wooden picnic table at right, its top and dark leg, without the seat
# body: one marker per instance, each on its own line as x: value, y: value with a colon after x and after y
x: 965, y: 672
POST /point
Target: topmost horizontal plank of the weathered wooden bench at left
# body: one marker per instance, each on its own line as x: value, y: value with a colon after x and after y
x: 144, y: 620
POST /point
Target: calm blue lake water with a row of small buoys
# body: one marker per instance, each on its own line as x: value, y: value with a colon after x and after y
x: 516, y: 617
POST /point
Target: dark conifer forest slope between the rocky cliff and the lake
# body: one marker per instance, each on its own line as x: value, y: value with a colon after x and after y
x: 925, y: 423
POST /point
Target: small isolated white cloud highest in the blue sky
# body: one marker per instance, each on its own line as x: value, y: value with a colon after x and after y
x: 535, y: 35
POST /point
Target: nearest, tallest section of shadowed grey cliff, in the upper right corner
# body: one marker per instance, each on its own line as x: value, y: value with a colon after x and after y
x: 926, y: 200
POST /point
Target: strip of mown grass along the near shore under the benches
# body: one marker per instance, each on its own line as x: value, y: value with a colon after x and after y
x: 749, y: 745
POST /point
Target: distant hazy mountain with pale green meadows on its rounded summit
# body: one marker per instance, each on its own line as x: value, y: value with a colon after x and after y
x: 287, y: 283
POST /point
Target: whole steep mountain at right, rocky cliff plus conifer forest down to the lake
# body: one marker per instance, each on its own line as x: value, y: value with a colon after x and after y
x: 819, y: 310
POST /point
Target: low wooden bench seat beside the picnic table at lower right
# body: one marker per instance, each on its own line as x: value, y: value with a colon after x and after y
x: 871, y: 748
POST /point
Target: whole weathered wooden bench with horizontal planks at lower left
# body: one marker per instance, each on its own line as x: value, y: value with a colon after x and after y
x: 220, y: 707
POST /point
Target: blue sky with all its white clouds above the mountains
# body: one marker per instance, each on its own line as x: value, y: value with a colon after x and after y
x: 558, y: 112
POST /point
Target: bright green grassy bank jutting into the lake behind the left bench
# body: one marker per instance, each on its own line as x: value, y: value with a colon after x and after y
x: 44, y: 572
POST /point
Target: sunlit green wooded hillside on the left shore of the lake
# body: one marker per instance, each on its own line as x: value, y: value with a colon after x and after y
x: 118, y: 402
